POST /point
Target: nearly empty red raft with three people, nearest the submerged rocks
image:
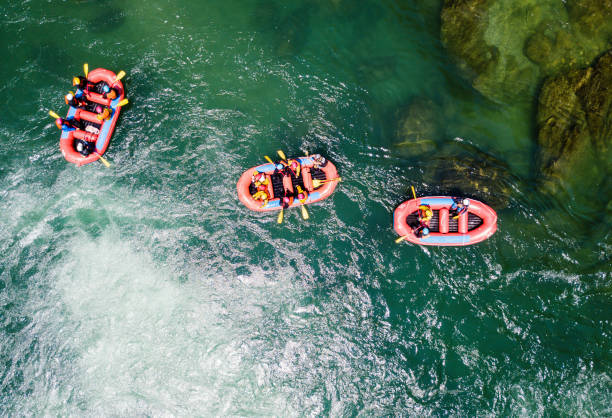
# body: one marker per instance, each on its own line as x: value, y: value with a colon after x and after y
x: 473, y: 226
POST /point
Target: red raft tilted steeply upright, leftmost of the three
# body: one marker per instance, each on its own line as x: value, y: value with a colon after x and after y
x: 96, y: 130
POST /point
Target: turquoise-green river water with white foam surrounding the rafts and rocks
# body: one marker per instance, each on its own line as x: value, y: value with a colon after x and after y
x: 148, y: 289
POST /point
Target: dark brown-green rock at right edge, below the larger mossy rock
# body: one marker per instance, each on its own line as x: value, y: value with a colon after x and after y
x: 575, y: 125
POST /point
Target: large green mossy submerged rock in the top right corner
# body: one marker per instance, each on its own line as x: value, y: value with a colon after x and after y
x: 506, y: 47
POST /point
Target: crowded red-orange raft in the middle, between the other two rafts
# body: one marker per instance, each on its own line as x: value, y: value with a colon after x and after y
x: 280, y: 184
